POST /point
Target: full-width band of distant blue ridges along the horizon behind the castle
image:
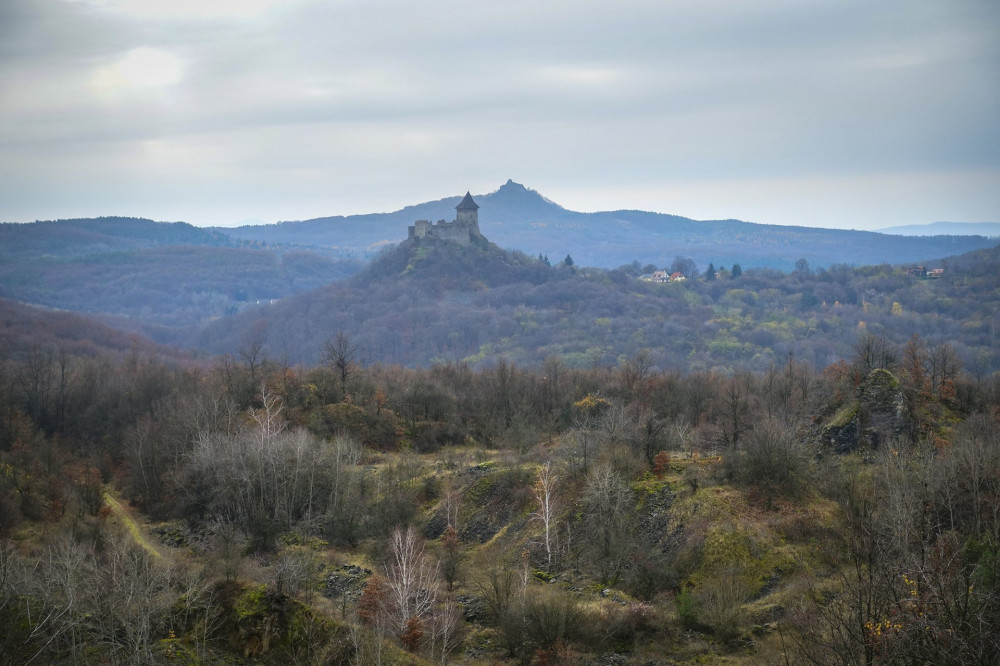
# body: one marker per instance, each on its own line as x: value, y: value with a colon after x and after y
x: 518, y: 218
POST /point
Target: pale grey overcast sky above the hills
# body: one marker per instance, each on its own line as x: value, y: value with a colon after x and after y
x: 832, y: 113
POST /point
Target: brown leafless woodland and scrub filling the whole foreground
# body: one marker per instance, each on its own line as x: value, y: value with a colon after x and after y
x: 251, y: 511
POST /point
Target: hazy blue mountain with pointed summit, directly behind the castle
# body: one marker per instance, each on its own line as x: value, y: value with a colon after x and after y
x: 520, y: 218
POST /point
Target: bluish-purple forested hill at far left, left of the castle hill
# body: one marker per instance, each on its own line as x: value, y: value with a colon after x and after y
x: 158, y: 274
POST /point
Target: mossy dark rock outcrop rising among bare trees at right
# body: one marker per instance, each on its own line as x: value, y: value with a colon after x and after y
x: 877, y: 415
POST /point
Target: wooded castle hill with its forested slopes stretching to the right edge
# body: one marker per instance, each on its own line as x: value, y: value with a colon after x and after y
x: 431, y: 302
